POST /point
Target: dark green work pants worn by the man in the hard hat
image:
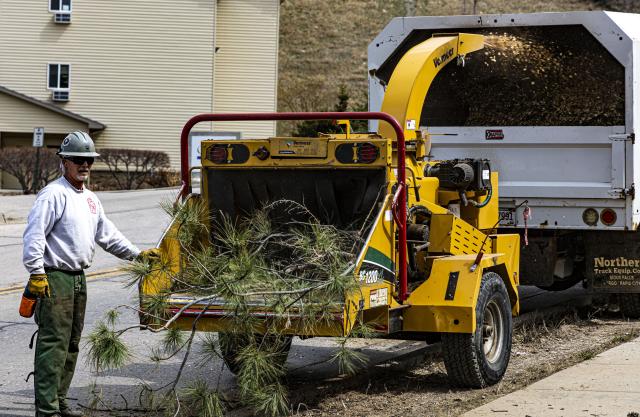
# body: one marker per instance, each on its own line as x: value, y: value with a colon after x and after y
x: 60, y: 319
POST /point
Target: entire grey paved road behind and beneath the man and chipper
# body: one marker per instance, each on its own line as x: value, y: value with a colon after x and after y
x: 137, y: 214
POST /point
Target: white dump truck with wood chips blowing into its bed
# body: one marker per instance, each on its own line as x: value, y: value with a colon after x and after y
x: 553, y: 104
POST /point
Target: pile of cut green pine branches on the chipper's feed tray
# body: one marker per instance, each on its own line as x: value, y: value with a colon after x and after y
x: 298, y: 269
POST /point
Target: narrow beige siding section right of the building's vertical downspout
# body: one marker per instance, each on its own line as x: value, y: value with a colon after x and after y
x: 246, y: 63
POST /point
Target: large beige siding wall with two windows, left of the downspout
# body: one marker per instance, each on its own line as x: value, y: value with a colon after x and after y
x: 140, y: 67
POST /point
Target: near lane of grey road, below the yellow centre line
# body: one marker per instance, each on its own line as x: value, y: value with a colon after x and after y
x: 308, y: 358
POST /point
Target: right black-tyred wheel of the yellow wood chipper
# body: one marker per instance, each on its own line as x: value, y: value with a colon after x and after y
x: 480, y: 359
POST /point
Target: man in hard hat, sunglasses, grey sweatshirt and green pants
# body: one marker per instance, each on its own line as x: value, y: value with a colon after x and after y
x: 65, y: 223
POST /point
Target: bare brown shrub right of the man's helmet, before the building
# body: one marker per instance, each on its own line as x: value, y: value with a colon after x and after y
x: 130, y: 168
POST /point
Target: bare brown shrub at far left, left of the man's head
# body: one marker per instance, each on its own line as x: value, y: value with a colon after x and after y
x: 21, y: 163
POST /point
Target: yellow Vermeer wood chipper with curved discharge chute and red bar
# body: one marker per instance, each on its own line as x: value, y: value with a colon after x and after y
x: 431, y: 266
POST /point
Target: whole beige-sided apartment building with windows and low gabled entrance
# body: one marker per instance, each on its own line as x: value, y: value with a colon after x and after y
x: 133, y: 72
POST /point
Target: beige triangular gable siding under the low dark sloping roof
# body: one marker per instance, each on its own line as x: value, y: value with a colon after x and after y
x: 17, y: 115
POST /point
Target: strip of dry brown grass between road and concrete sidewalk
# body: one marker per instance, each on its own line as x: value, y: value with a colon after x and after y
x: 542, y: 346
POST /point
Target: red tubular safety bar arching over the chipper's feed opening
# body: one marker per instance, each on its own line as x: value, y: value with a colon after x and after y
x: 400, y: 199
